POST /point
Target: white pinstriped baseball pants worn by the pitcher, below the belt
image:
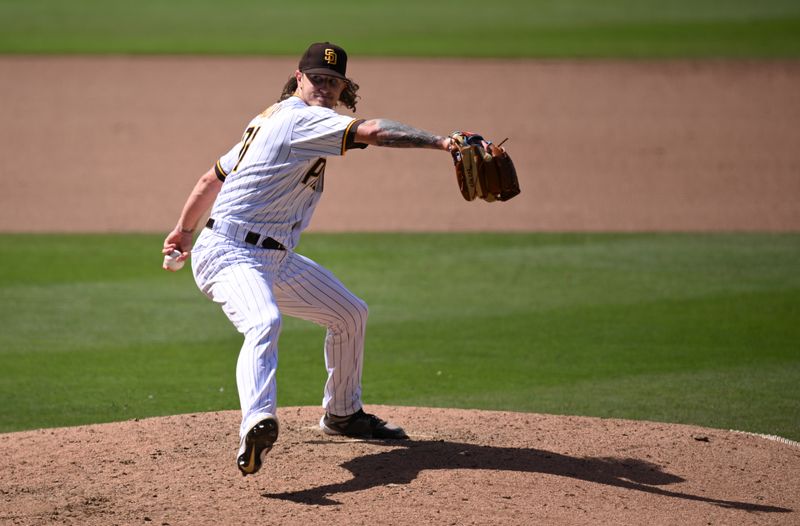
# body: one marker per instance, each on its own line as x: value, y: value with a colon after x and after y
x: 255, y: 287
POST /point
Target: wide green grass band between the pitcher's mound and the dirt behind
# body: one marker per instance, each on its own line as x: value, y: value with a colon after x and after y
x: 684, y: 328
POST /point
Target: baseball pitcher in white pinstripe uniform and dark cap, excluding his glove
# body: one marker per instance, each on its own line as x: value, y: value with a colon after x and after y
x: 262, y: 194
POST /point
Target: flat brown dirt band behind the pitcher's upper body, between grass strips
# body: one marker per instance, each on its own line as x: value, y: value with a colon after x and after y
x: 115, y: 143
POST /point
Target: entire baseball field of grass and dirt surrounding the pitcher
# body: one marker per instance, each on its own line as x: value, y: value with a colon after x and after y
x: 618, y: 344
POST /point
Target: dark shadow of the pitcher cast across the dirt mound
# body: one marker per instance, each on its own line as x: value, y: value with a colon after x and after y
x: 402, y: 465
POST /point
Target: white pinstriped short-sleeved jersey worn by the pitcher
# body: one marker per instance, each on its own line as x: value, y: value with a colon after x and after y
x: 273, y: 178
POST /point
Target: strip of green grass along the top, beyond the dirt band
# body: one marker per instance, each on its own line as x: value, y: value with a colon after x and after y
x: 507, y: 28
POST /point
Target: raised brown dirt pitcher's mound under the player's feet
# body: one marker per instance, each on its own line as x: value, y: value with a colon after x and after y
x: 461, y: 467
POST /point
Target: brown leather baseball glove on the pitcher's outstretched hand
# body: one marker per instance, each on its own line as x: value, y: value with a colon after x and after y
x: 483, y: 169
